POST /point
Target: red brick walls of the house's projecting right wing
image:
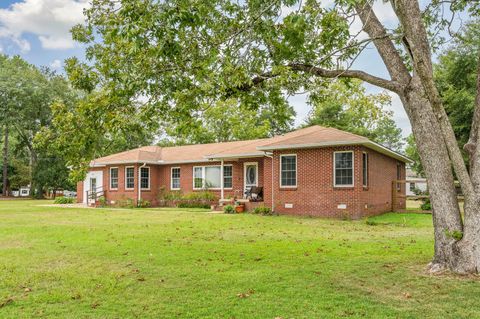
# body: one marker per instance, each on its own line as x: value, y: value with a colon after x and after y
x: 315, y: 194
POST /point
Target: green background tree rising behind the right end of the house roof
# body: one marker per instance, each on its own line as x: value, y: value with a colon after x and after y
x: 347, y: 106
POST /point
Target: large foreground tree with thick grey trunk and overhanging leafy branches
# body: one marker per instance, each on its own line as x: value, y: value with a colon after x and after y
x: 181, y: 56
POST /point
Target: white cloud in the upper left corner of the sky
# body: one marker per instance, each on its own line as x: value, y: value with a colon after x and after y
x: 50, y: 20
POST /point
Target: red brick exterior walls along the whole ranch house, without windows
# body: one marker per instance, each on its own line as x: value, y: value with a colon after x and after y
x: 314, y: 195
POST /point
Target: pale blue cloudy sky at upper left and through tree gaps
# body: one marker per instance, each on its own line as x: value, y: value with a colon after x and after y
x: 38, y: 31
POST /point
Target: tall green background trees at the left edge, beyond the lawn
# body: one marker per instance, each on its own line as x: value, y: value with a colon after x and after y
x: 27, y: 93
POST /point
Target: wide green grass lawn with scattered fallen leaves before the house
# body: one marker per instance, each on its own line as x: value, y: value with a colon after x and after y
x: 165, y: 263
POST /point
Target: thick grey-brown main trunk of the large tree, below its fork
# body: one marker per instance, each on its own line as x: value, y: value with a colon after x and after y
x: 451, y: 251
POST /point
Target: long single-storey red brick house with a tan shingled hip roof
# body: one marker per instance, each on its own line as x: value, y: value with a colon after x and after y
x: 315, y: 171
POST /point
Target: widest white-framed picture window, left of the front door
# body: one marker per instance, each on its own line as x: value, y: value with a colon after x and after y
x: 210, y: 177
